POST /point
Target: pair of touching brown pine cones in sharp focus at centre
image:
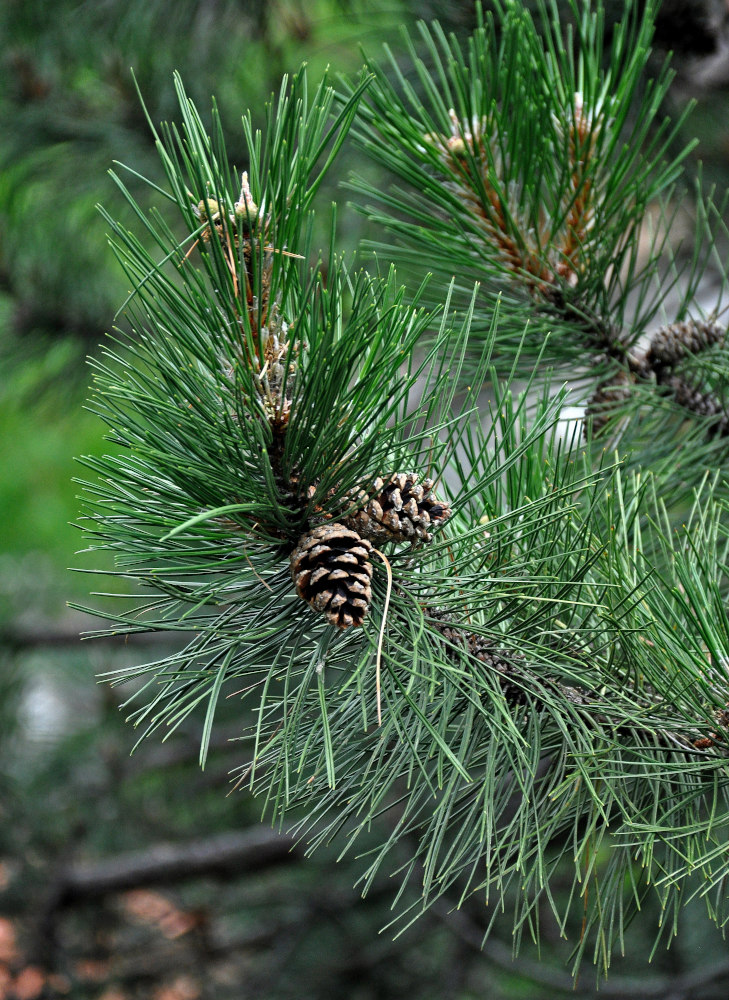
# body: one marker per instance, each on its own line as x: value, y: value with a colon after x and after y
x: 331, y: 564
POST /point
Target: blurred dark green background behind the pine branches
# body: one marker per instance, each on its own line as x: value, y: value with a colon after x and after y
x: 121, y: 876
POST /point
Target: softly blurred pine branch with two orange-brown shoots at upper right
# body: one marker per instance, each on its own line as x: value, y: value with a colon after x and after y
x: 545, y: 208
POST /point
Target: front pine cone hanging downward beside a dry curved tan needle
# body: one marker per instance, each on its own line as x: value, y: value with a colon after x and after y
x: 332, y: 572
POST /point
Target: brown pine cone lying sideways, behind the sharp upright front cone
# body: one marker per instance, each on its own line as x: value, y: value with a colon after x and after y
x: 401, y: 510
